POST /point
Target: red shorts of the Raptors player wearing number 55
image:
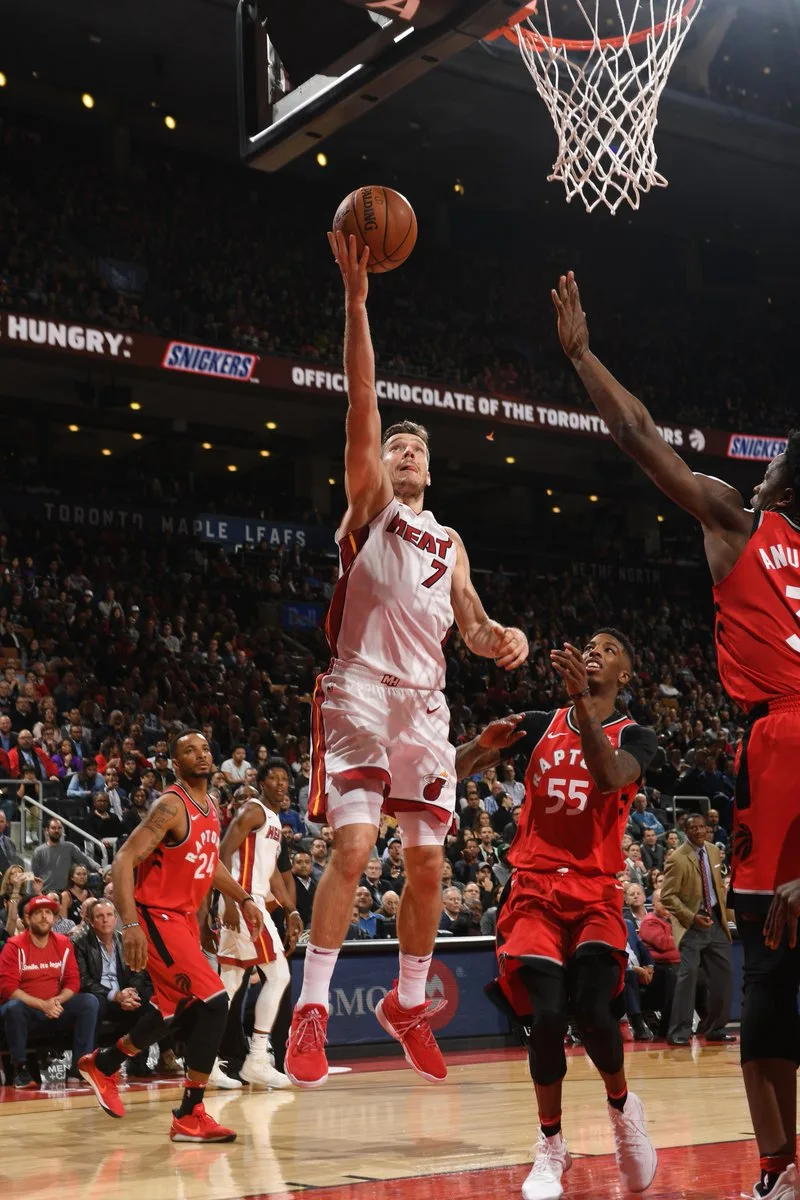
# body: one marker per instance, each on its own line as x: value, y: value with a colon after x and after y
x: 550, y: 915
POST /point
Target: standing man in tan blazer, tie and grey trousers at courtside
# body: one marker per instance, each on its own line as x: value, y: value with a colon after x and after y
x: 694, y: 896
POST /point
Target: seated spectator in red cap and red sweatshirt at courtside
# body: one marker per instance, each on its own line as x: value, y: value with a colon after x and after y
x: 40, y: 983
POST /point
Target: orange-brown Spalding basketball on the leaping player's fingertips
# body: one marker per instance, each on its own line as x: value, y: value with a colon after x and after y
x: 381, y: 219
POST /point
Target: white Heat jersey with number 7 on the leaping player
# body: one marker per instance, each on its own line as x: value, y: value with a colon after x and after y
x: 392, y: 610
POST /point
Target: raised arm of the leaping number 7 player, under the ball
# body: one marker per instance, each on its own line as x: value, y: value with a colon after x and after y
x: 366, y: 482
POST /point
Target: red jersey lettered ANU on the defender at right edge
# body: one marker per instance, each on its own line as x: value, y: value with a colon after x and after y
x: 759, y: 615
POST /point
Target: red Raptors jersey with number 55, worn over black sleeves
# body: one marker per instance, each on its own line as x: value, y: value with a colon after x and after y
x: 567, y: 821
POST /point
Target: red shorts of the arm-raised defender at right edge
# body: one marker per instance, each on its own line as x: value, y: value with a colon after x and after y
x: 767, y: 812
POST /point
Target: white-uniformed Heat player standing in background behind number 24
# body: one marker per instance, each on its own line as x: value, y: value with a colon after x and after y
x: 250, y: 850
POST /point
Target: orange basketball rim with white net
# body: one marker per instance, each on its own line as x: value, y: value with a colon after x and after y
x: 604, y: 93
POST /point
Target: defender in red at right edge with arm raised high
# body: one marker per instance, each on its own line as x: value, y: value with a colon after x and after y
x: 755, y: 563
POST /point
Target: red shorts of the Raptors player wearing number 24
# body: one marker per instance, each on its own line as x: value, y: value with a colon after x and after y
x: 179, y: 970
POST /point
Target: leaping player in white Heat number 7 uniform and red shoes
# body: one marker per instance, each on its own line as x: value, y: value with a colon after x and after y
x: 381, y: 722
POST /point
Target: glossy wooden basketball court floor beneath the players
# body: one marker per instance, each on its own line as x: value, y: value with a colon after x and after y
x: 381, y: 1133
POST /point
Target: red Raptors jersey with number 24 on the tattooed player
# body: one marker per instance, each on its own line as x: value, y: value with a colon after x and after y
x: 179, y: 878
